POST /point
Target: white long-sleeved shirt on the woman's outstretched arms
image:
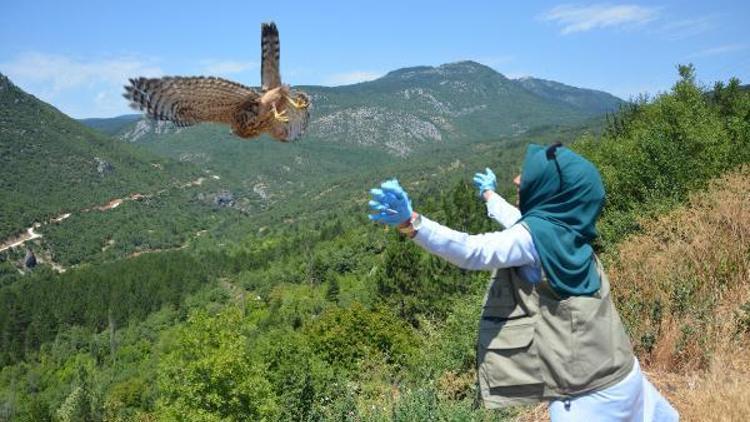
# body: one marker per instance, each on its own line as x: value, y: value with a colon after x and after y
x: 512, y: 247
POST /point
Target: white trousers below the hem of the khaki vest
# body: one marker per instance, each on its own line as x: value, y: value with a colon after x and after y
x: 632, y: 399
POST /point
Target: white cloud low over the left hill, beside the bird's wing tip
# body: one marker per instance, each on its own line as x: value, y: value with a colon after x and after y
x: 79, y: 88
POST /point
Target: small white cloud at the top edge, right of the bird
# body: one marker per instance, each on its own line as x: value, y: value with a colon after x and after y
x: 573, y: 18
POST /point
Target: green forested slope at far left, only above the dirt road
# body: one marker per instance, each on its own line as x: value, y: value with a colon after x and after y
x: 50, y: 164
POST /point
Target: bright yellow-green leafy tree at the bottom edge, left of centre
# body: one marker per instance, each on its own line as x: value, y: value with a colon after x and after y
x: 209, y: 374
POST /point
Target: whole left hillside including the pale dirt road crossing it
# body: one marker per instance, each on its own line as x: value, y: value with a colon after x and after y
x: 91, y: 198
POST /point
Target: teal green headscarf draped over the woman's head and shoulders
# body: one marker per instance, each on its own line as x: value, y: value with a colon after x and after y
x: 561, y: 197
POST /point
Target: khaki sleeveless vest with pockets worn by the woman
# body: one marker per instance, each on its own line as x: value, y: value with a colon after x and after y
x: 534, y: 345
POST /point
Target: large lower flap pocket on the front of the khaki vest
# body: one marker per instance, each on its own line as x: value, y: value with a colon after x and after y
x: 507, y: 354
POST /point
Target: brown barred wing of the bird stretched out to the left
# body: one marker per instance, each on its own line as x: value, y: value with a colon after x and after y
x: 190, y: 100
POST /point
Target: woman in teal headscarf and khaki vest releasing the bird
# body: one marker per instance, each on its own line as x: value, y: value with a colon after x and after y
x: 549, y: 330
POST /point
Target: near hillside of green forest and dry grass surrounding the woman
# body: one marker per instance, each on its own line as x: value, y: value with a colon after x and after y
x: 332, y: 318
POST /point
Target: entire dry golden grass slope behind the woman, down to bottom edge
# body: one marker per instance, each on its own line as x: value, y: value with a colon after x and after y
x: 683, y: 289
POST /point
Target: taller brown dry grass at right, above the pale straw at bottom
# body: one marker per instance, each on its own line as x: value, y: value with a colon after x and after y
x: 681, y: 286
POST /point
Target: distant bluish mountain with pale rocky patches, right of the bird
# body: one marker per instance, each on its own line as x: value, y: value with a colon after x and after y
x: 423, y: 106
